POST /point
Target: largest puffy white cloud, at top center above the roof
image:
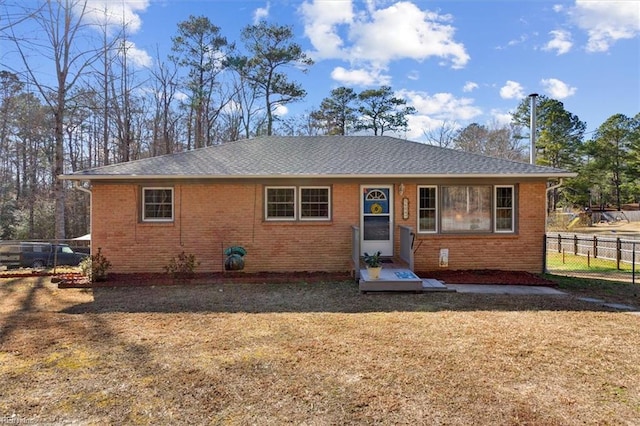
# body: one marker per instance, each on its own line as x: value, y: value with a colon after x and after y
x: 380, y: 35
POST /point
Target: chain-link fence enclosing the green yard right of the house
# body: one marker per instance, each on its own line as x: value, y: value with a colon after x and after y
x: 592, y: 256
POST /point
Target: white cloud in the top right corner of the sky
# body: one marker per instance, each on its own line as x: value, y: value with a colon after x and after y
x: 606, y: 21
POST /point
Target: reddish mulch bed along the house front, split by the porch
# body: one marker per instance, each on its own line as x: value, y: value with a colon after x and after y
x: 160, y: 279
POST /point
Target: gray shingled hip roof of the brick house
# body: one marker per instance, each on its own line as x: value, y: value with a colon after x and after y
x: 318, y: 156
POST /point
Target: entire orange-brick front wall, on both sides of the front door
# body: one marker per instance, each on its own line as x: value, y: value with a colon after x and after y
x: 211, y: 217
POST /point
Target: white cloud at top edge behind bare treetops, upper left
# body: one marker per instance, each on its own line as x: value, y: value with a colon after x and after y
x: 114, y: 14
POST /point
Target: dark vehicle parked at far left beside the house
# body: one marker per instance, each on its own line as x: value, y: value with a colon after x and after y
x: 16, y: 254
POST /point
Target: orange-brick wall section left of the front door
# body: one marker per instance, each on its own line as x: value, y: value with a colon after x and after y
x: 209, y: 218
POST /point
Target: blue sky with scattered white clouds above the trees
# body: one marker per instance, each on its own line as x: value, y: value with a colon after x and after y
x: 458, y: 61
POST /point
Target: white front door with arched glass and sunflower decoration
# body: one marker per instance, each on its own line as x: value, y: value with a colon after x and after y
x: 376, y: 219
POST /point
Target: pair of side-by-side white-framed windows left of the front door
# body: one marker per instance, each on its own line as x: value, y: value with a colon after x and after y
x: 306, y: 203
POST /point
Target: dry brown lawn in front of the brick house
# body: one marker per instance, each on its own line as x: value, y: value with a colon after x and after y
x: 311, y: 354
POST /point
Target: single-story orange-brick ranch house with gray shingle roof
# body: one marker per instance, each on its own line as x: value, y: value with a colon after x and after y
x: 318, y: 203
